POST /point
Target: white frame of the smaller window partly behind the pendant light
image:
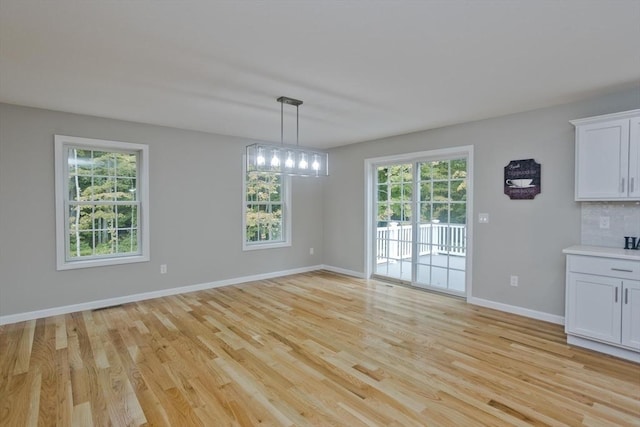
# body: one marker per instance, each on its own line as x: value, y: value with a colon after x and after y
x: 285, y: 198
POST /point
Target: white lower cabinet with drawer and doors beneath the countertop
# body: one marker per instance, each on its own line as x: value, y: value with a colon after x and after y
x: 603, y: 304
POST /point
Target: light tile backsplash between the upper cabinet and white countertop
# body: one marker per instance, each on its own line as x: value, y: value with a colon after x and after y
x: 624, y: 220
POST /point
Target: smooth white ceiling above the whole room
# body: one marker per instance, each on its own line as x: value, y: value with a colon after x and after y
x: 364, y: 69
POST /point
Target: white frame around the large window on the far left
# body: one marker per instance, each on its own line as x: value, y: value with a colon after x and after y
x: 62, y: 143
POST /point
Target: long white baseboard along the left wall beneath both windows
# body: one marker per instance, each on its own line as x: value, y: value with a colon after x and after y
x: 92, y: 305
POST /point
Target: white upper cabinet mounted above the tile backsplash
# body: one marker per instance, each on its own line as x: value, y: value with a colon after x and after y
x: 608, y: 157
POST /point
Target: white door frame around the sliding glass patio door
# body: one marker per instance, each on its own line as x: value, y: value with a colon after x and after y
x: 369, y: 177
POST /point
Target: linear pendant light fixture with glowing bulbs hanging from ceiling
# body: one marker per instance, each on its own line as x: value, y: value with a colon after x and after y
x: 287, y: 159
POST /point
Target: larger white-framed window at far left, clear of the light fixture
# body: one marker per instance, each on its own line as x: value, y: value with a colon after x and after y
x: 102, y: 215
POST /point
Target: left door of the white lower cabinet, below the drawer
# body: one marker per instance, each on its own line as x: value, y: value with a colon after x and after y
x: 593, y: 307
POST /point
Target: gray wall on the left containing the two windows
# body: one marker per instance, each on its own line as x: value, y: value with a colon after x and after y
x: 196, y: 202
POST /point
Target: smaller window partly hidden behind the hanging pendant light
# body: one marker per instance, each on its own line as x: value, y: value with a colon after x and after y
x: 266, y: 210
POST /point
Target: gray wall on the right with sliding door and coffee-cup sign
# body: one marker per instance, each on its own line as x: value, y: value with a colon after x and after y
x: 524, y: 237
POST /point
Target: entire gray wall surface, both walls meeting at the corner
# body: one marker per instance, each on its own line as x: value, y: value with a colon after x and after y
x: 196, y: 207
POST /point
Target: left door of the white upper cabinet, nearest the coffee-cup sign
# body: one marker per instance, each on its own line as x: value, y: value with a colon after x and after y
x: 602, y: 160
